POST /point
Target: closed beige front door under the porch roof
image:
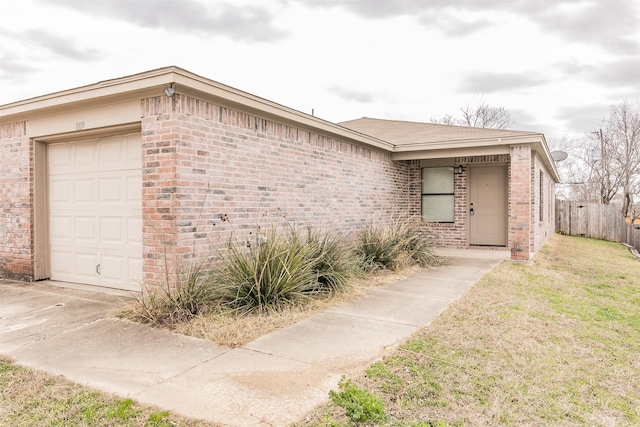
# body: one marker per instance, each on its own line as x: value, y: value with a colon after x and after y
x: 488, y: 206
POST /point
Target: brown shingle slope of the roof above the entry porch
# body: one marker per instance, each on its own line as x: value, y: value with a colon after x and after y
x: 408, y: 133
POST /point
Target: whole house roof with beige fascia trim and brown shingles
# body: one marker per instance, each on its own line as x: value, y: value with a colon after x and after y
x: 402, y: 139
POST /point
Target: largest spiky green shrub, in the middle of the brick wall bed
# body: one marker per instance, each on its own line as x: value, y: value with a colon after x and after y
x: 266, y: 274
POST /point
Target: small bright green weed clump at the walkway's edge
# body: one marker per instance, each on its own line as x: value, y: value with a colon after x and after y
x: 360, y: 405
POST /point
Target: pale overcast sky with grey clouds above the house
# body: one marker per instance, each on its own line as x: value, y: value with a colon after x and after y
x: 556, y: 66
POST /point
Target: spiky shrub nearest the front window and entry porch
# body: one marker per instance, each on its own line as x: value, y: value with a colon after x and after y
x: 395, y: 244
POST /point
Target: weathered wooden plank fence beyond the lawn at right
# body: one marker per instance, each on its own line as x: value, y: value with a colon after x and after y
x: 604, y: 222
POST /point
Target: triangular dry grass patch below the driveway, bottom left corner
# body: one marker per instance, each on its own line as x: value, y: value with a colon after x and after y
x: 33, y: 398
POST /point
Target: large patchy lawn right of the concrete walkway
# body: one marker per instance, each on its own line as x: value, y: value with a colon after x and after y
x: 551, y: 342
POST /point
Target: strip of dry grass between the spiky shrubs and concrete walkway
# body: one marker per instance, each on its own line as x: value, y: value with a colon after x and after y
x: 237, y: 329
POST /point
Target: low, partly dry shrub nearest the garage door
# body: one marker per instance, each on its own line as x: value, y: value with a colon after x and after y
x: 181, y: 302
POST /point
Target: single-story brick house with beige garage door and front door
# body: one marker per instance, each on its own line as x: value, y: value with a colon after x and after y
x: 110, y: 183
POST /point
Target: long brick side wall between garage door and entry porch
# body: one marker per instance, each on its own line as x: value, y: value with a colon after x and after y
x: 203, y: 163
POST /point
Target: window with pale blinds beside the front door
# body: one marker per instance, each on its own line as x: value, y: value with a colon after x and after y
x: 437, y: 194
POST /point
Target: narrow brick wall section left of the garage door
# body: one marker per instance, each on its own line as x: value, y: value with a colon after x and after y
x: 16, y: 202
